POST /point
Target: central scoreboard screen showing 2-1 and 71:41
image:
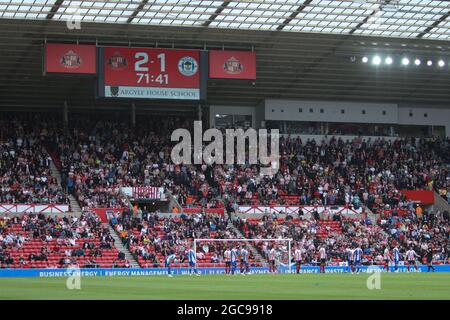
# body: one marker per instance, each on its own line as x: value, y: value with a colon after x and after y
x: 149, y: 73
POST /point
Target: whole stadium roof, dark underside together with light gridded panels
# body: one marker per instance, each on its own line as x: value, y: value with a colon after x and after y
x: 290, y: 65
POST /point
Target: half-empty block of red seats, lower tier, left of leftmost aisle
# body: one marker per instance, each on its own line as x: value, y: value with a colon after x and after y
x: 57, y: 242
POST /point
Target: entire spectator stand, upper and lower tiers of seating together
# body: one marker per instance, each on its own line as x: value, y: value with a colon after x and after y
x: 98, y: 157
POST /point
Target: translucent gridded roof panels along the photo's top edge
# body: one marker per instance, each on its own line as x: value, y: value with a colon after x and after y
x: 428, y: 19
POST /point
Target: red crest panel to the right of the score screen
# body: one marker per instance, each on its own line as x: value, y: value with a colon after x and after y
x: 232, y: 64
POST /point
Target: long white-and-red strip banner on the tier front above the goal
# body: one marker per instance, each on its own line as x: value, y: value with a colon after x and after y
x: 294, y: 210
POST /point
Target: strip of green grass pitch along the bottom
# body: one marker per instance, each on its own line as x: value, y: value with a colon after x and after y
x: 304, y: 286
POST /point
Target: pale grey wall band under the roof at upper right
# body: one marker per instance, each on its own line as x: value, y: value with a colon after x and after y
x: 337, y: 111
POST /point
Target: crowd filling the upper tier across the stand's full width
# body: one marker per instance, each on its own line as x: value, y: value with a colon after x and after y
x: 98, y: 156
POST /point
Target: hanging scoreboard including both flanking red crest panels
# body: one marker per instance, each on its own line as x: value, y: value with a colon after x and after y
x: 148, y: 73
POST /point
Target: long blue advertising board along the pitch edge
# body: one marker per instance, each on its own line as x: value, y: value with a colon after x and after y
x: 133, y: 272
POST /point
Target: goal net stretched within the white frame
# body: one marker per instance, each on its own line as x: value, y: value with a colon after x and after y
x: 273, y: 255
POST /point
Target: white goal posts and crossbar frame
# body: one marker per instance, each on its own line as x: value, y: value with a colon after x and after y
x: 284, y: 252
